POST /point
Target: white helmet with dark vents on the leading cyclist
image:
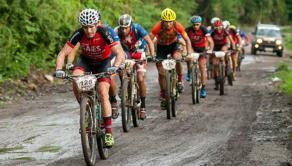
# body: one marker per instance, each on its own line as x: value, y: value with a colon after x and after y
x: 89, y: 17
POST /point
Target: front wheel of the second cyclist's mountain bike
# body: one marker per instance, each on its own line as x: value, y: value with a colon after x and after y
x: 125, y: 104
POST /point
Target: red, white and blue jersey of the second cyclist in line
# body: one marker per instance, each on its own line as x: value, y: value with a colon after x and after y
x: 135, y: 37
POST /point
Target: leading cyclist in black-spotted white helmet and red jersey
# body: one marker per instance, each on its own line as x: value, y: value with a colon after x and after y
x: 98, y: 48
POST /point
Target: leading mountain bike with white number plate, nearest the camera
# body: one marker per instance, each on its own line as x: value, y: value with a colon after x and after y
x: 91, y: 130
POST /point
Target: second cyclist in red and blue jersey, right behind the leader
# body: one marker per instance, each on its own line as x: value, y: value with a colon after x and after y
x: 130, y: 35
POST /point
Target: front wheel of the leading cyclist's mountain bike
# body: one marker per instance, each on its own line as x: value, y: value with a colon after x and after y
x: 88, y: 130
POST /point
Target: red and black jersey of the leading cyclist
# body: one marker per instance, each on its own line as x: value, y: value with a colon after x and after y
x: 98, y: 47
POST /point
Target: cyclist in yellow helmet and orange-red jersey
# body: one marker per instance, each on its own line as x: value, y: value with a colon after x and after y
x: 166, y: 32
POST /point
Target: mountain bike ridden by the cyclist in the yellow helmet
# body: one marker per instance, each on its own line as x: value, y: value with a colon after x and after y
x: 172, y: 94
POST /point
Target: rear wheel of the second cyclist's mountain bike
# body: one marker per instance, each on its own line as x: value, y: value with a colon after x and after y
x: 136, y: 108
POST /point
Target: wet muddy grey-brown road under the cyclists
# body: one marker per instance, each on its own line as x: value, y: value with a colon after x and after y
x: 247, y: 126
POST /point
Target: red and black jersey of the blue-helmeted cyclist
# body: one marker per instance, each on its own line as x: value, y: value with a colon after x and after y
x: 198, y: 37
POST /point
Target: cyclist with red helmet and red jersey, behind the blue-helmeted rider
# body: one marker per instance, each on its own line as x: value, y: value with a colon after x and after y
x: 222, y: 40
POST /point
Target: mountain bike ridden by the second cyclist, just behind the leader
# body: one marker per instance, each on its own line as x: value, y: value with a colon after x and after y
x: 130, y: 98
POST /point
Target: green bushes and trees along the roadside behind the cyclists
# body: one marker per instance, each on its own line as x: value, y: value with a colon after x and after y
x: 33, y: 31
